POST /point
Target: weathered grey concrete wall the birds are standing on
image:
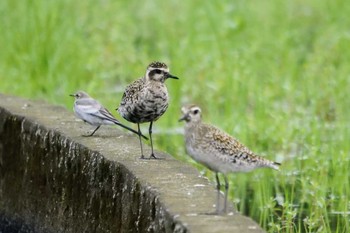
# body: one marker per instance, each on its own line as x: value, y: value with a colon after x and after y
x: 54, y: 180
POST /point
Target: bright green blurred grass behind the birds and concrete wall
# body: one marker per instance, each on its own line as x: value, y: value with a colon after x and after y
x: 275, y: 74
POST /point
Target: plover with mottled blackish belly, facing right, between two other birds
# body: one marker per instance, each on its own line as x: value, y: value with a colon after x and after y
x: 146, y: 99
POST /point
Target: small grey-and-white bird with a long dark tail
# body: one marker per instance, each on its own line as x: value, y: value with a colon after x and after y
x: 92, y: 112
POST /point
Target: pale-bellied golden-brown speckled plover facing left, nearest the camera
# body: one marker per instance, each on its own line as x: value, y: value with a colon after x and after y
x: 218, y: 151
